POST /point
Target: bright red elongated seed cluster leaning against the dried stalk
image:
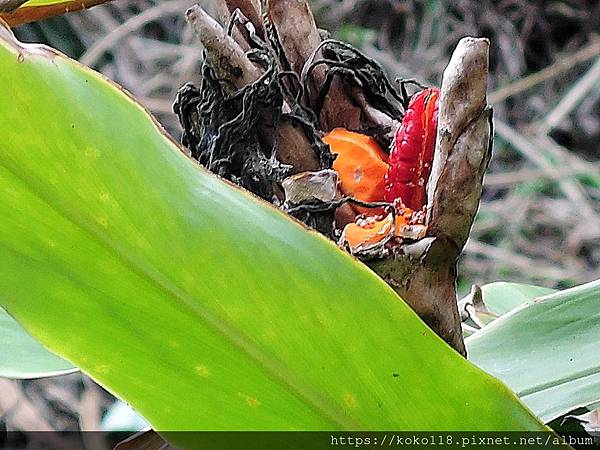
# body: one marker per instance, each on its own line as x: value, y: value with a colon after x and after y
x: 412, y: 151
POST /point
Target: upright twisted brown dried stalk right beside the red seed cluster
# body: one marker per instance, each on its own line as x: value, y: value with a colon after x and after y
x: 463, y: 145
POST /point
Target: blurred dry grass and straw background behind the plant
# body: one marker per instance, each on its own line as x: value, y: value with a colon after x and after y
x: 539, y: 221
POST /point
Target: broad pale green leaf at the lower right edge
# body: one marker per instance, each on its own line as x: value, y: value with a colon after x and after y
x: 546, y: 350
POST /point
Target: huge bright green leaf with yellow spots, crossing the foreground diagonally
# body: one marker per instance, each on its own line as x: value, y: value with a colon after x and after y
x: 200, y: 305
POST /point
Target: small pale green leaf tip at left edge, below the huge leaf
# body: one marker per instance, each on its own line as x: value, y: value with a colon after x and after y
x: 21, y: 356
